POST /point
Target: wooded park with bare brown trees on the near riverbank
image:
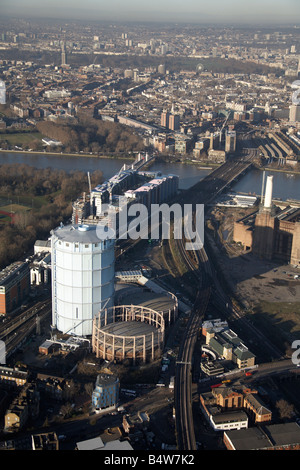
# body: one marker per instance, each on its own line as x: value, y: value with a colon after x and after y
x: 38, y: 199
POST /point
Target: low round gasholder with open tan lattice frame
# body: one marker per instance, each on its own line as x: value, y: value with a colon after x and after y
x: 128, y: 332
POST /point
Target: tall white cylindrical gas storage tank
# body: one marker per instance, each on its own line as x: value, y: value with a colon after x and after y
x: 82, y: 276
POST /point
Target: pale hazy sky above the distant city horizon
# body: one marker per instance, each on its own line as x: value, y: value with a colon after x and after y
x: 200, y: 11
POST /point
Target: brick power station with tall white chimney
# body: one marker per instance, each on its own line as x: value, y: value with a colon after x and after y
x: 270, y: 232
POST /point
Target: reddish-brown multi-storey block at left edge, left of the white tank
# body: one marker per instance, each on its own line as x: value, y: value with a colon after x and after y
x: 14, y: 286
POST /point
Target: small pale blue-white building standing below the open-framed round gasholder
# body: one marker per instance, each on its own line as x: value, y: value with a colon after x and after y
x: 106, y: 392
